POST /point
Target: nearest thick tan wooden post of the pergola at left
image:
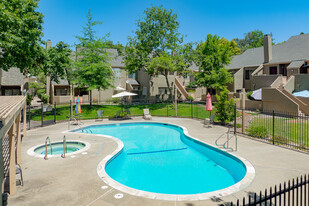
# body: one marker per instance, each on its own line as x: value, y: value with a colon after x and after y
x: 12, y: 175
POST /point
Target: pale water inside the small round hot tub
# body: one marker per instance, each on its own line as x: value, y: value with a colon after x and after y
x: 57, y: 148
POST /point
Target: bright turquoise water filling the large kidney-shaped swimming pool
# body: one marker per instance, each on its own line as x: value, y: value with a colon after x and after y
x: 160, y: 158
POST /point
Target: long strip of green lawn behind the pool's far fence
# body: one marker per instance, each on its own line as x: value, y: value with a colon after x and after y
x: 89, y: 112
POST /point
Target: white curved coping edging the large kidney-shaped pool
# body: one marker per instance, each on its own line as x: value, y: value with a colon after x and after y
x: 246, y: 181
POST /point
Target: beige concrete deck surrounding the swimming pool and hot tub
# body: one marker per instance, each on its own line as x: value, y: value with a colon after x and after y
x: 74, y: 180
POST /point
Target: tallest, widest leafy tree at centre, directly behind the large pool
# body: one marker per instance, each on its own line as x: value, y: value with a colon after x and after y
x: 155, y: 44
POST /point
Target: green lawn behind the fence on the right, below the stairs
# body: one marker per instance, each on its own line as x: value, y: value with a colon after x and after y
x: 287, y: 130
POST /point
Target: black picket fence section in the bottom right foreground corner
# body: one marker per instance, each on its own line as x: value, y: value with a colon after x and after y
x: 291, y: 193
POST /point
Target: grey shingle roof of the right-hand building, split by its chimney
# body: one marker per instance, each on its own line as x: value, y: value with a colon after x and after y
x: 295, y: 48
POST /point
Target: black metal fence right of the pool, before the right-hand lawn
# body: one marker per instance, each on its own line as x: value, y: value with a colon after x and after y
x: 280, y: 128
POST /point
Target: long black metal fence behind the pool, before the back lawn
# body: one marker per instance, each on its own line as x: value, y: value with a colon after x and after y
x: 44, y: 115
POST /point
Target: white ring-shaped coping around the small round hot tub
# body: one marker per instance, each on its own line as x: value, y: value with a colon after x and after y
x: 31, y: 152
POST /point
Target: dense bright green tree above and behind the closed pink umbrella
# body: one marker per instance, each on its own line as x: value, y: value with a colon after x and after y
x: 211, y: 57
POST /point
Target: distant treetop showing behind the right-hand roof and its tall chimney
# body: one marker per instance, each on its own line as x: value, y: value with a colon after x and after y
x: 252, y: 39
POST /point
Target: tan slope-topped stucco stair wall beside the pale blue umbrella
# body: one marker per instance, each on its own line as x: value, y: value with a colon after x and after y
x: 275, y: 100
